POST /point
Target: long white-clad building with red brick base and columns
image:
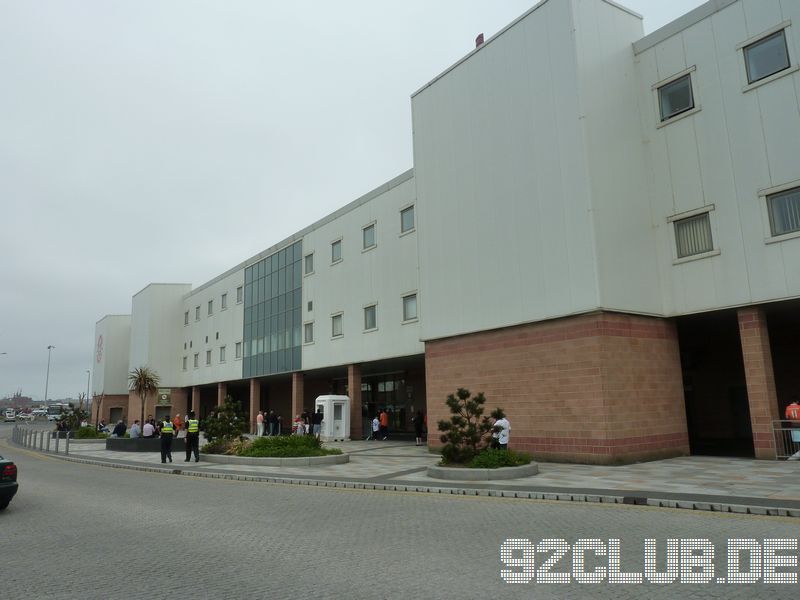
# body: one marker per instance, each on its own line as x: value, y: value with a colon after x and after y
x: 601, y: 232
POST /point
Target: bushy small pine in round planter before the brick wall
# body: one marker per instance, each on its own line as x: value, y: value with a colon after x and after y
x: 468, y: 430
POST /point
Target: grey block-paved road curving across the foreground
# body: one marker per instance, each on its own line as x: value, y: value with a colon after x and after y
x: 83, y: 531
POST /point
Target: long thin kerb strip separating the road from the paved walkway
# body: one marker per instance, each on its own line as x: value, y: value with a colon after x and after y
x: 729, y: 508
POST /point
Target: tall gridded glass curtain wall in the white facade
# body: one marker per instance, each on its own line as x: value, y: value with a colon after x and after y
x: 272, y: 313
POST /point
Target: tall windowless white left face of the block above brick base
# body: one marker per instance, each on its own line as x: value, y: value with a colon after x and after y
x: 504, y: 196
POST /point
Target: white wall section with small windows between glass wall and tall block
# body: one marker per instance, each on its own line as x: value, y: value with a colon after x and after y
x: 379, y: 276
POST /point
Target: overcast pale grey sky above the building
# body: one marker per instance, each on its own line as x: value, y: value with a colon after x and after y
x: 167, y: 141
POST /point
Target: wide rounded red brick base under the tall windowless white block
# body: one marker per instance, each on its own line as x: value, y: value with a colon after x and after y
x: 599, y: 388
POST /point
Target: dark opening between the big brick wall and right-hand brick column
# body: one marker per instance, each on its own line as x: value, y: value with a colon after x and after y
x: 714, y: 385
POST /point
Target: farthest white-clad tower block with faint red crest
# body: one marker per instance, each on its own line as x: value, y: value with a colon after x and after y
x: 112, y: 336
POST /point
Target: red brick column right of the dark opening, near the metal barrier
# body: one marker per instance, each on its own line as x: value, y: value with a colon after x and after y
x: 761, y: 393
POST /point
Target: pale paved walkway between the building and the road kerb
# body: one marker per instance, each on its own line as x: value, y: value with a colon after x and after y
x: 710, y: 483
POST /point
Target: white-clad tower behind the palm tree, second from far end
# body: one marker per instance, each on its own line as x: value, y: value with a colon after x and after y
x: 156, y: 323
